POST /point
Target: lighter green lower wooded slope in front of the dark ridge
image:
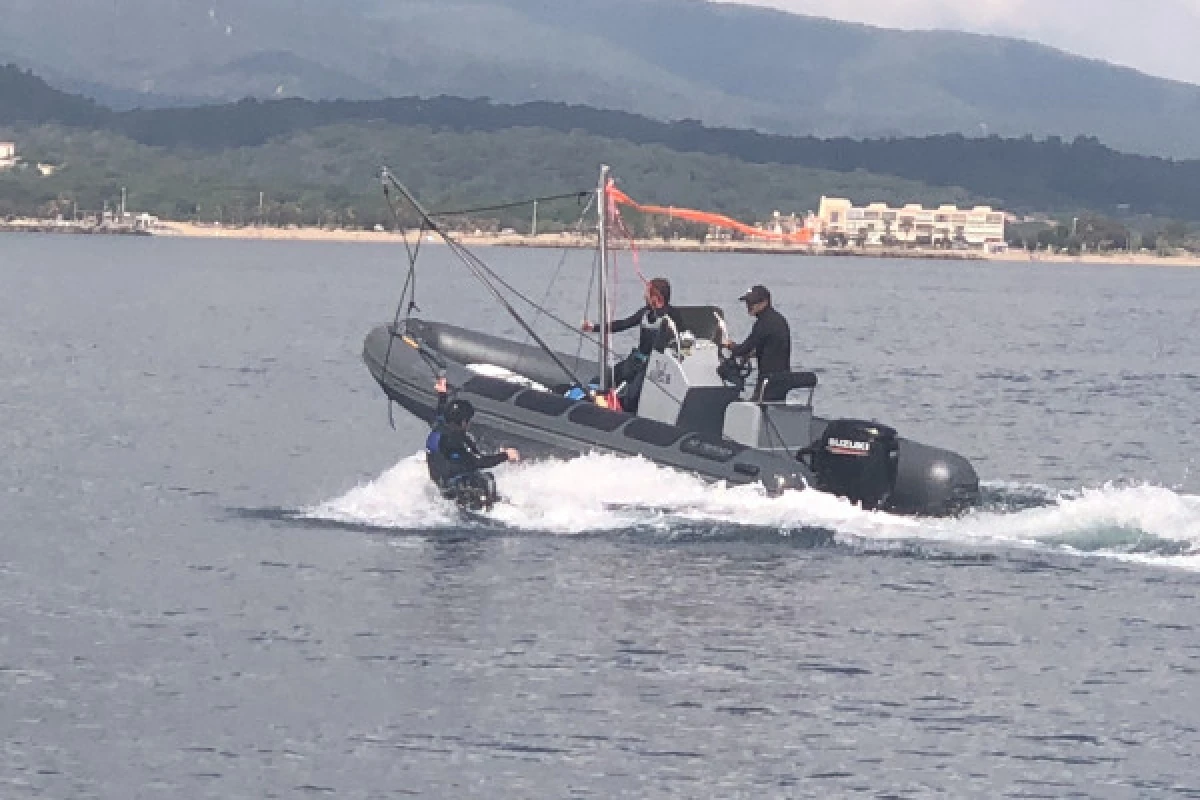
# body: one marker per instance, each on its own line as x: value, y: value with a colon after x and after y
x: 328, y: 176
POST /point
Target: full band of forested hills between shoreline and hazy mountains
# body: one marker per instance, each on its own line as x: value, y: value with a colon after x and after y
x: 320, y: 159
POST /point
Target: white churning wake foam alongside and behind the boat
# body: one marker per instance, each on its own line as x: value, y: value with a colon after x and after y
x: 599, y: 494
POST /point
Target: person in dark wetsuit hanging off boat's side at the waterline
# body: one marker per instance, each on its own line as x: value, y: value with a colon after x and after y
x: 457, y: 465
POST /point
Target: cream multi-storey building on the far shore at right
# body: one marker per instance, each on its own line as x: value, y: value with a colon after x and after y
x: 980, y: 227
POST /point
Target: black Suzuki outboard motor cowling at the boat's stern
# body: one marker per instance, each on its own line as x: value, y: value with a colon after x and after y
x: 857, y: 461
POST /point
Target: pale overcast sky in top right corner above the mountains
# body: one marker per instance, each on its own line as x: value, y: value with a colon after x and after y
x: 1156, y: 37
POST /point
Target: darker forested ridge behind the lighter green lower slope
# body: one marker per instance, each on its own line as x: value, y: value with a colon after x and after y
x: 1018, y: 175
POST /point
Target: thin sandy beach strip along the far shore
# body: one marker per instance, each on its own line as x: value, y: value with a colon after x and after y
x: 194, y: 231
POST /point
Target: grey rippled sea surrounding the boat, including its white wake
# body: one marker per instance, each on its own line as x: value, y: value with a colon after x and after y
x: 224, y: 575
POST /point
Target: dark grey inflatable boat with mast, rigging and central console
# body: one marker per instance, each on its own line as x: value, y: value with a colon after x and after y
x: 694, y: 412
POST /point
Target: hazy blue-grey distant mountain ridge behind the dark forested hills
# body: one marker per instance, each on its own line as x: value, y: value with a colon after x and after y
x: 724, y: 65
